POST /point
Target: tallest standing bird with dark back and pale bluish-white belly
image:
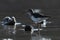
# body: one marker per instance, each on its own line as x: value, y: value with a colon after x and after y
x: 36, y: 17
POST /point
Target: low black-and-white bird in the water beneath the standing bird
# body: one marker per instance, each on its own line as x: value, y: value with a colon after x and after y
x: 29, y: 28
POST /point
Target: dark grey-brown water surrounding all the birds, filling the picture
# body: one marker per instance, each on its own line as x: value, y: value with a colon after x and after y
x: 17, y: 8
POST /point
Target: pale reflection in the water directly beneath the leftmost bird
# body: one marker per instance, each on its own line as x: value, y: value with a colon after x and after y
x: 9, y: 29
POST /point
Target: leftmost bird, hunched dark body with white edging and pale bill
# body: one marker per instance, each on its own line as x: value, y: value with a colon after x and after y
x: 9, y: 20
